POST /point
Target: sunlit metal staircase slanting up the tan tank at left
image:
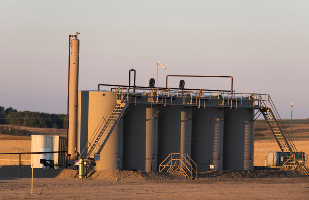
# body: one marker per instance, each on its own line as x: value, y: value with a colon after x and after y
x: 106, y: 126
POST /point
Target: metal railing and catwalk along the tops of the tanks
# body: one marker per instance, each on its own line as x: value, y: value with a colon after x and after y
x: 195, y: 97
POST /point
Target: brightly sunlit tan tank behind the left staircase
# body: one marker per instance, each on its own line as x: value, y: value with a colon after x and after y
x: 112, y: 153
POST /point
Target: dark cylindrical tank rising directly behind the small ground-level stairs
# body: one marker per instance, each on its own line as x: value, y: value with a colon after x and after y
x: 174, y: 131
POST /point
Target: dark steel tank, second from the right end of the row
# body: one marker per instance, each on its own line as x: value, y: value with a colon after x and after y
x: 207, y: 142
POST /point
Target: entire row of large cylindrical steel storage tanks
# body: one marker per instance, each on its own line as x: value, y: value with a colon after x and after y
x: 149, y: 132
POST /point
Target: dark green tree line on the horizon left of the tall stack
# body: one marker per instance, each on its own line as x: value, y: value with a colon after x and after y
x: 32, y: 119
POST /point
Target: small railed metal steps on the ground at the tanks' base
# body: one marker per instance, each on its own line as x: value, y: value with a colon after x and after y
x: 179, y: 162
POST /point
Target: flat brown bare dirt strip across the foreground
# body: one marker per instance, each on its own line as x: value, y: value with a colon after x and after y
x: 278, y: 188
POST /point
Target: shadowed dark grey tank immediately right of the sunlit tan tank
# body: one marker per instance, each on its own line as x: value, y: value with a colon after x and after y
x: 134, y: 145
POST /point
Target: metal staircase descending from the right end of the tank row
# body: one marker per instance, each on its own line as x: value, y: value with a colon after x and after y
x: 273, y: 119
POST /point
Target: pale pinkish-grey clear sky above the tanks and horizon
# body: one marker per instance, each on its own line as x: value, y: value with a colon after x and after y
x: 263, y: 44
